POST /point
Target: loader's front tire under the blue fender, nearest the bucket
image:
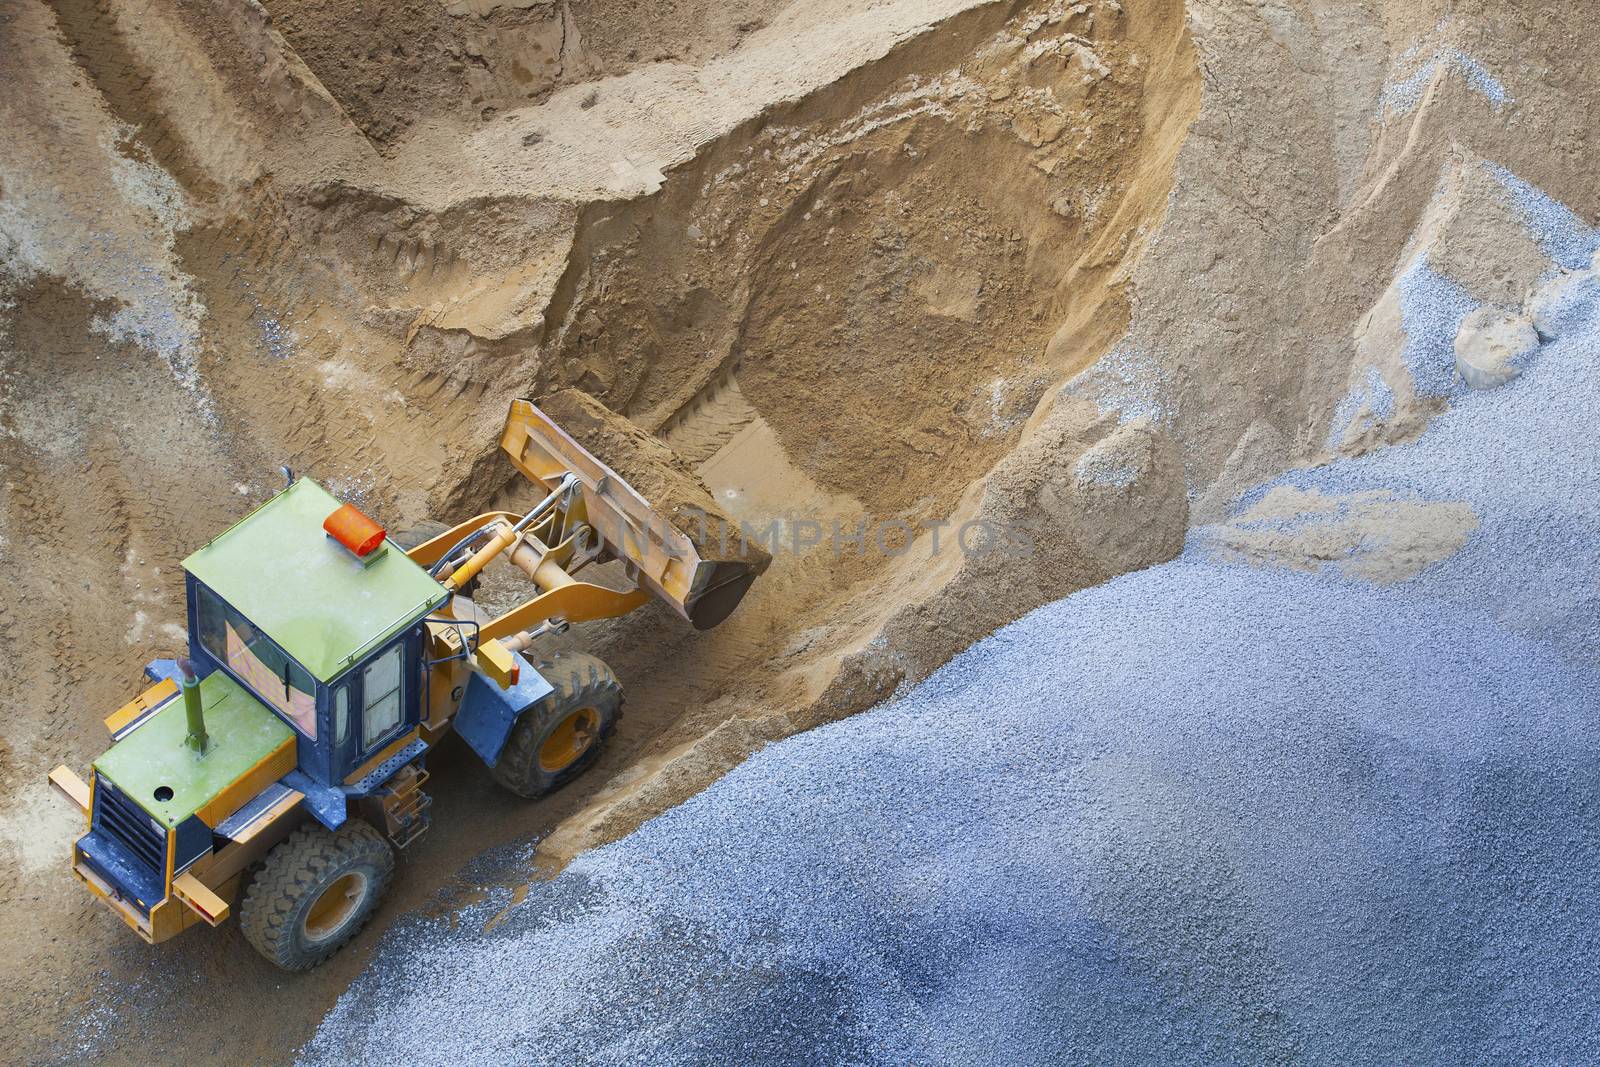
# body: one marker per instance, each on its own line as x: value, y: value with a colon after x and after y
x: 540, y: 757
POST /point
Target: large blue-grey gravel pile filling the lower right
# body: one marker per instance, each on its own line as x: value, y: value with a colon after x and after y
x: 1198, y: 815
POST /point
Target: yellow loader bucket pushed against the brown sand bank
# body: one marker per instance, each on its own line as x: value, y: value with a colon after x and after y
x: 702, y: 578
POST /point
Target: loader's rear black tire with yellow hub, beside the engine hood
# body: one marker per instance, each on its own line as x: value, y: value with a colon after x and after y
x: 281, y: 914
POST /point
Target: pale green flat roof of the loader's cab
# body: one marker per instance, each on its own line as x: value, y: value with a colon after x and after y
x: 306, y: 591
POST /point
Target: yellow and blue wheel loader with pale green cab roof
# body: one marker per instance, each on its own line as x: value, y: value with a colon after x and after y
x: 274, y: 770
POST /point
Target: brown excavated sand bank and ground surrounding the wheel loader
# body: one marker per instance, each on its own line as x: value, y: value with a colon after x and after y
x: 964, y: 306
